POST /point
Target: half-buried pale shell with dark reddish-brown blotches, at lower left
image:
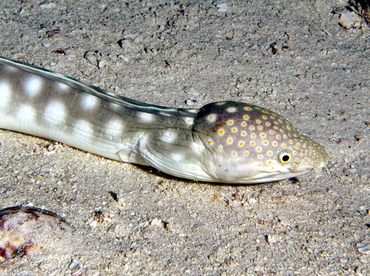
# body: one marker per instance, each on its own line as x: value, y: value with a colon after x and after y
x: 32, y: 232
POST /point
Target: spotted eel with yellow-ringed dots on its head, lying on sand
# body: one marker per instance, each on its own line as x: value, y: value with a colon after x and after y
x: 227, y: 142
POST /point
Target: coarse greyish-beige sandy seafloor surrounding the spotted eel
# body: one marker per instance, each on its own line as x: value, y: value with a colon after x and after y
x: 289, y: 56
